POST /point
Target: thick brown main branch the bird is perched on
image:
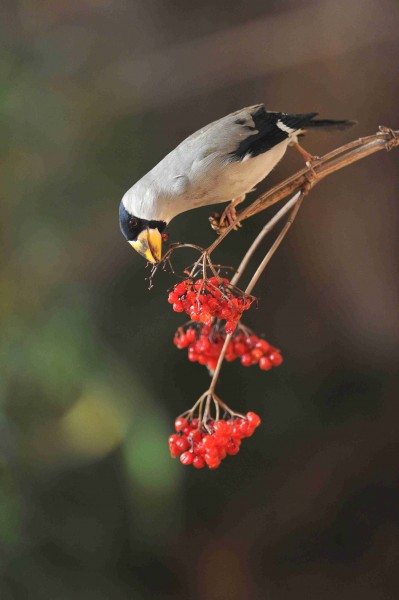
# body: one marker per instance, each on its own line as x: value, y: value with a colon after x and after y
x: 384, y: 139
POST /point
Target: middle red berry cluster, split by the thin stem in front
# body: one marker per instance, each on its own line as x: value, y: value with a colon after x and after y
x: 205, y: 344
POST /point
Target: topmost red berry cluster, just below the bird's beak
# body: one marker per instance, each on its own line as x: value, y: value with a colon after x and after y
x: 205, y: 299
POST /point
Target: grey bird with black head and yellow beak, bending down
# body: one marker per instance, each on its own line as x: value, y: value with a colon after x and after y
x: 220, y: 162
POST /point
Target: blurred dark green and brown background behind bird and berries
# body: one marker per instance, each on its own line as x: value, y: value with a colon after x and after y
x: 93, y: 94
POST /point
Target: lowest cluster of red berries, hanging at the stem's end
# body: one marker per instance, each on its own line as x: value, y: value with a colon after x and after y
x: 198, y: 447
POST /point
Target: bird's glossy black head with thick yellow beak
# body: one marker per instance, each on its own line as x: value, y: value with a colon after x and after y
x: 145, y: 236
